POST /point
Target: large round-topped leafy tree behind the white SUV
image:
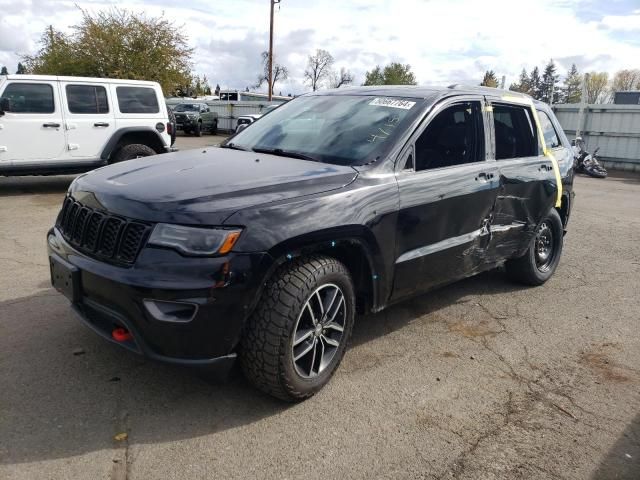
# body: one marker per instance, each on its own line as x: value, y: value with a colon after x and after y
x: 117, y: 43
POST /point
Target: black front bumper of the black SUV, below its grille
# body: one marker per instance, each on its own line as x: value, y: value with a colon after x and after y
x: 221, y: 291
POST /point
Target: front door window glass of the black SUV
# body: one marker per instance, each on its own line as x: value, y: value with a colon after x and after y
x: 455, y: 136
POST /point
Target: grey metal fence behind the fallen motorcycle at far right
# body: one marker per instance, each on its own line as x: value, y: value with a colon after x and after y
x: 613, y: 128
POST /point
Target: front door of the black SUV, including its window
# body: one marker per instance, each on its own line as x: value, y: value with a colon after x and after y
x: 447, y: 190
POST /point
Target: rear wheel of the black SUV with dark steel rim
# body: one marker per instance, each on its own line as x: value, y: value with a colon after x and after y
x: 541, y: 259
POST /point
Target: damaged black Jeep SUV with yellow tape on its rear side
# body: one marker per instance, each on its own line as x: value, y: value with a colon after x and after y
x: 337, y: 202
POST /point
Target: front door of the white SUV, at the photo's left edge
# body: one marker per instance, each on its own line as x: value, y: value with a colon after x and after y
x: 31, y: 130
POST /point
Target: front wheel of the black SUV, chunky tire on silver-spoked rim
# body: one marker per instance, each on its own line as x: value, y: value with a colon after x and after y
x: 297, y: 336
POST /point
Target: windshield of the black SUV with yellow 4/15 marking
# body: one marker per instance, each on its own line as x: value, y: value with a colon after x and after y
x: 338, y: 129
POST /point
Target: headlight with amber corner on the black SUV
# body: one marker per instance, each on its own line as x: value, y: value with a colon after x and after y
x: 194, y: 240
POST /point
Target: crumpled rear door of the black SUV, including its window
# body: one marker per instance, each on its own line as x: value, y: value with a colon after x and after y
x: 527, y: 181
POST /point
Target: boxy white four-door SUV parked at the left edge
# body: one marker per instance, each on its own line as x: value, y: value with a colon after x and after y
x: 56, y: 125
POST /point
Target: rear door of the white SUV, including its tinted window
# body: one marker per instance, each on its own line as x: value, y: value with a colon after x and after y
x: 89, y: 118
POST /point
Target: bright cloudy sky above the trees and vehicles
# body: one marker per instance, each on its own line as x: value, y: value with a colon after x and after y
x: 444, y: 41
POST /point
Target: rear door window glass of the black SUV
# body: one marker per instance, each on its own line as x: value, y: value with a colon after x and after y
x: 515, y: 132
